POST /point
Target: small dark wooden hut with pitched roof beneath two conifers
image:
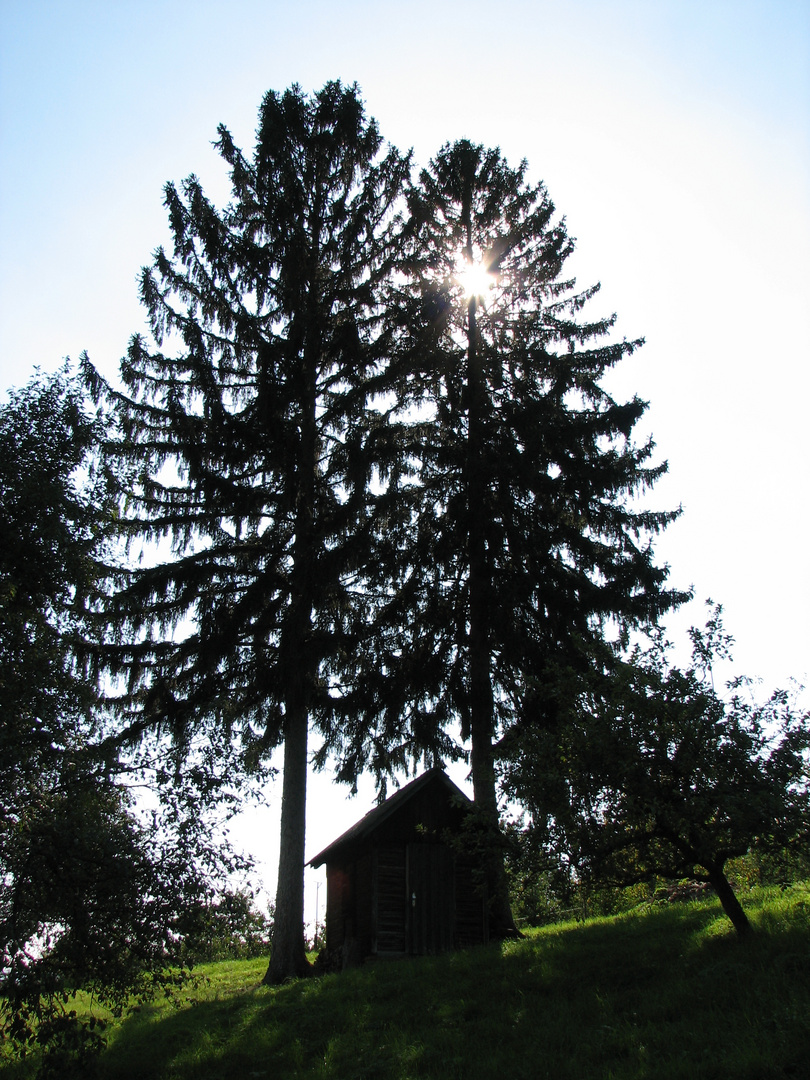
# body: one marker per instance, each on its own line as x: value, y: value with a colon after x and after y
x: 396, y: 886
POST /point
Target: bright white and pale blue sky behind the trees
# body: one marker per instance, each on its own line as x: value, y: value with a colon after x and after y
x: 674, y: 137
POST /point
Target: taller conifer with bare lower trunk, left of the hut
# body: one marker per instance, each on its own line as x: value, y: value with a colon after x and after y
x: 248, y: 439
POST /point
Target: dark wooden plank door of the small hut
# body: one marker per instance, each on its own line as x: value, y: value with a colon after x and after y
x: 431, y: 898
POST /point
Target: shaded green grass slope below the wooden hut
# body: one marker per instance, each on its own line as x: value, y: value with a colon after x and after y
x: 659, y: 993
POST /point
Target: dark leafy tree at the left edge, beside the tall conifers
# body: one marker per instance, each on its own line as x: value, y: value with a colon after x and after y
x: 89, y: 895
